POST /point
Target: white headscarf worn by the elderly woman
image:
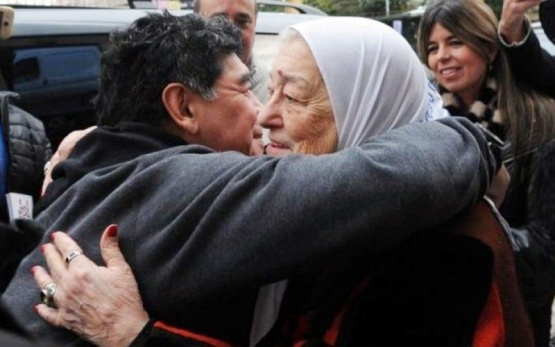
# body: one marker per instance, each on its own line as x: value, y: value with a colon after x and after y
x: 373, y: 77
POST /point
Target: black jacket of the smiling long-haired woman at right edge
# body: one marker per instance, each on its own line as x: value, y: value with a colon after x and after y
x: 530, y: 209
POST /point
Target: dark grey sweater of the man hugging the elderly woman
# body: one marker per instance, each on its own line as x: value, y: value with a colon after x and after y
x: 203, y: 231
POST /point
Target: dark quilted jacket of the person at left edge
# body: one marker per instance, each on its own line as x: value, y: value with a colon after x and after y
x: 28, y: 150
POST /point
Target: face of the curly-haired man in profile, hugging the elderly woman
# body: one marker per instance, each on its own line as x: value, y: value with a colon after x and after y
x: 228, y: 121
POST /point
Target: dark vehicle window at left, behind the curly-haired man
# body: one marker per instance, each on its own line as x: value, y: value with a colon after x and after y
x: 57, y: 85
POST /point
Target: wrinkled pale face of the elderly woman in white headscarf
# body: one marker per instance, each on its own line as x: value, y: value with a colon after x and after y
x: 299, y: 113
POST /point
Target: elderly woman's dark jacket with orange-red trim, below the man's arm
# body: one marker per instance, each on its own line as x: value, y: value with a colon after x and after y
x: 454, y: 285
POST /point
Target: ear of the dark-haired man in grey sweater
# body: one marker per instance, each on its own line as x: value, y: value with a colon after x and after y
x: 177, y: 100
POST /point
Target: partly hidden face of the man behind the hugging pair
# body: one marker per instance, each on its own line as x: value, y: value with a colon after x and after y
x: 242, y: 13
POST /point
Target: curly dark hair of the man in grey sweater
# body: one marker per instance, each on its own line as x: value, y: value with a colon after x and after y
x: 157, y: 50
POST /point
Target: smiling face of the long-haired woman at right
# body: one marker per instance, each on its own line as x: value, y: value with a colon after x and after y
x: 456, y: 66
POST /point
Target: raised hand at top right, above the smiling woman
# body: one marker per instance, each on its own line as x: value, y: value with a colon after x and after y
x: 512, y: 19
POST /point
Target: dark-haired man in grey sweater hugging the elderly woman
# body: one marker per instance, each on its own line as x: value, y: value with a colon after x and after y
x: 176, y: 95
